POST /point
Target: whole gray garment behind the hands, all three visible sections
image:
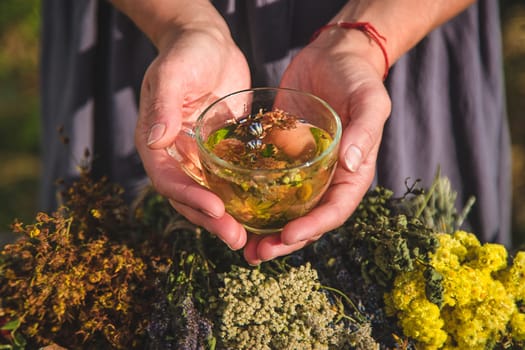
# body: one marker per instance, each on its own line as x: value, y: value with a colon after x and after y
x: 447, y: 93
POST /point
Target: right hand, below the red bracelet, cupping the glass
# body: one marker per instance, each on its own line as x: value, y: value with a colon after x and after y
x: 349, y: 78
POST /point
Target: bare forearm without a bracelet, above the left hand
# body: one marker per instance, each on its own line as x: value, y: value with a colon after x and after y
x: 160, y: 19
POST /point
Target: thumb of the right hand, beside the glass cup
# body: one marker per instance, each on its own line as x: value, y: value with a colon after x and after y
x: 368, y: 112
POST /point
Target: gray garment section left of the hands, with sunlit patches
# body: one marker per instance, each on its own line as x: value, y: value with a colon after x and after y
x: 92, y: 64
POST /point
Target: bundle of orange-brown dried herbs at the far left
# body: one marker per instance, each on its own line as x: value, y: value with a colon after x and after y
x: 66, y: 280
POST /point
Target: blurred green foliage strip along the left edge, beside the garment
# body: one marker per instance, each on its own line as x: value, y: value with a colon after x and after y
x: 19, y: 122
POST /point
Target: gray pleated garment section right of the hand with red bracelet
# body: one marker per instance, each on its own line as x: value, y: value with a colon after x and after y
x: 449, y: 110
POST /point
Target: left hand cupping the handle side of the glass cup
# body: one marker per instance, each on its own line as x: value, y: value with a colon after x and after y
x: 193, y: 67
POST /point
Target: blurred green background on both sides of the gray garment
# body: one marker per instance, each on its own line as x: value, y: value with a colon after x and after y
x: 19, y: 108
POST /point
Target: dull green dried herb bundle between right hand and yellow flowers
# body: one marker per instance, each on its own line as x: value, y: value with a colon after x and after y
x: 384, y: 237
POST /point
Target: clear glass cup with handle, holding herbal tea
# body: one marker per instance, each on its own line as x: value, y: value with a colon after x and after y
x: 281, y: 152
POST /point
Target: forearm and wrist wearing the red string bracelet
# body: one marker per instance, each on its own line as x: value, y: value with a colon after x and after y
x: 403, y: 23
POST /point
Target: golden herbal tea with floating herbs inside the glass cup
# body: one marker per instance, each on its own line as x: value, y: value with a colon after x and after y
x: 281, y: 146
